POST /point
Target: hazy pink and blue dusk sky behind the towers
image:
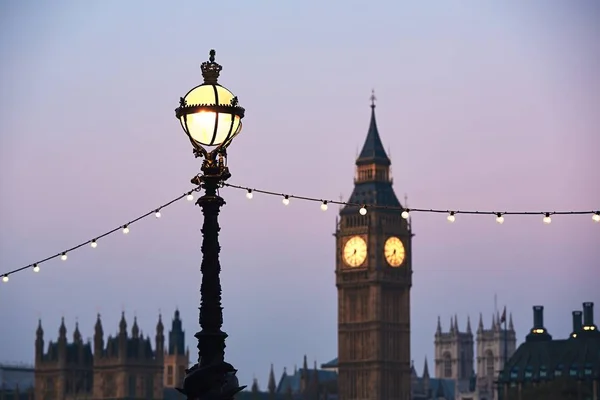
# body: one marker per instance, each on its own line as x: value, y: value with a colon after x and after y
x: 485, y: 105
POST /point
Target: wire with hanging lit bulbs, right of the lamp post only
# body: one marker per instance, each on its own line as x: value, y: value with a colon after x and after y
x: 405, y: 212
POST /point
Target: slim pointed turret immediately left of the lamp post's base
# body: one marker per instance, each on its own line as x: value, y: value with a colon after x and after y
x: 177, y: 358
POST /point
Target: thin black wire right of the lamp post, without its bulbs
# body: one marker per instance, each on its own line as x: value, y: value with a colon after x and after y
x: 410, y: 209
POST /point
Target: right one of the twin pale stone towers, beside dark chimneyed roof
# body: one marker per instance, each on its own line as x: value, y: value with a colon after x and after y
x: 491, y: 352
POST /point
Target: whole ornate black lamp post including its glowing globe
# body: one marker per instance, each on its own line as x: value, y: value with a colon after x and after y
x: 211, y: 118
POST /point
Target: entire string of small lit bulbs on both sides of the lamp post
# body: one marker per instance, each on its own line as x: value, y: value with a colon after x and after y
x: 286, y: 198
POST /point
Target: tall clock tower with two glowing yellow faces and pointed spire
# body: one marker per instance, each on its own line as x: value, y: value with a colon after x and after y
x: 373, y: 278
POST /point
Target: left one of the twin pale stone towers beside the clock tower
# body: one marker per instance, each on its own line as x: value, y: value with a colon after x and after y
x: 454, y: 352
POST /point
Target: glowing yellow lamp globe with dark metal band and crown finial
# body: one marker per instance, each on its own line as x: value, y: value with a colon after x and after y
x: 209, y: 114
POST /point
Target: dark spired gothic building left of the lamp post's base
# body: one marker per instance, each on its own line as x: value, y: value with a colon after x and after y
x: 125, y: 366
